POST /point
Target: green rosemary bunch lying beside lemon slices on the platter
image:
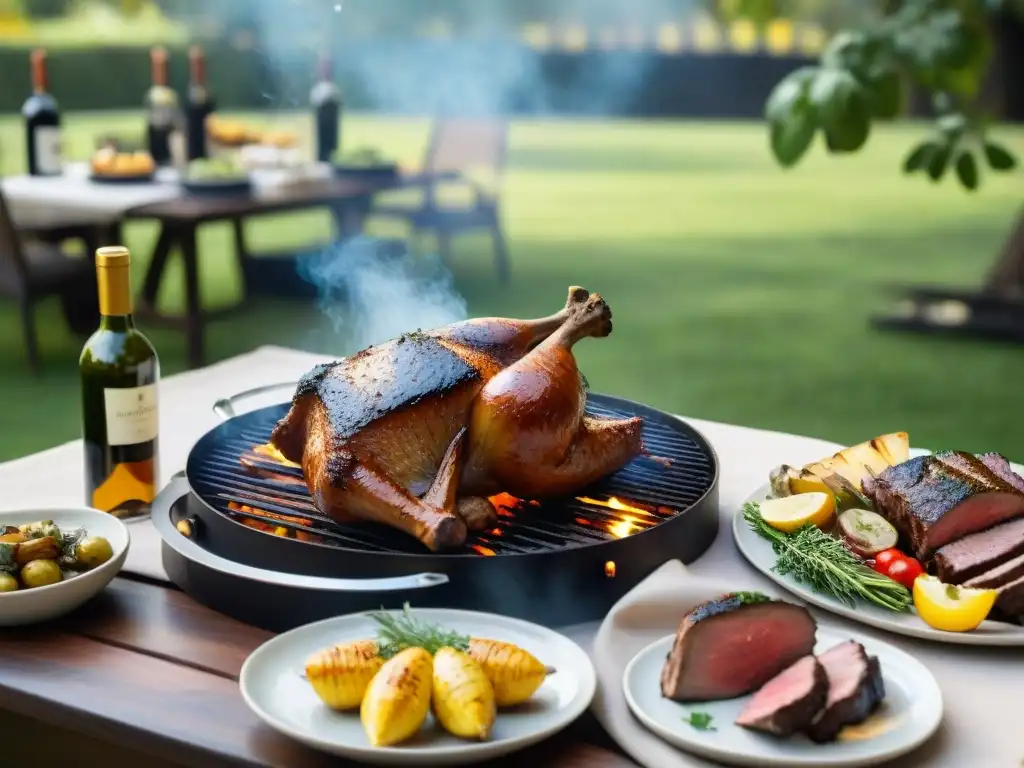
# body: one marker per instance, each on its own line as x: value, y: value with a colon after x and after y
x: 825, y: 565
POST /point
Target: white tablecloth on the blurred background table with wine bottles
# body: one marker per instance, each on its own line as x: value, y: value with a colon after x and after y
x: 74, y: 195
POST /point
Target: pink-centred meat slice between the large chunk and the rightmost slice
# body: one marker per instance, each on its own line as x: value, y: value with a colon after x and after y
x: 790, y: 701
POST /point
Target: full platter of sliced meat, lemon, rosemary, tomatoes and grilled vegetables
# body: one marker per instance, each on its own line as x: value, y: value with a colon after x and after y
x: 924, y: 544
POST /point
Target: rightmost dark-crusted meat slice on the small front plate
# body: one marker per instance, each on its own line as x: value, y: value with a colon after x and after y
x: 856, y: 689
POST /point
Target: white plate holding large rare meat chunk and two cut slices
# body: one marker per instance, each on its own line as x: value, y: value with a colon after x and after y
x: 752, y: 680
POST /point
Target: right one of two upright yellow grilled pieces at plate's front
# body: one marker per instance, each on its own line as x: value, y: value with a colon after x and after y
x: 462, y: 696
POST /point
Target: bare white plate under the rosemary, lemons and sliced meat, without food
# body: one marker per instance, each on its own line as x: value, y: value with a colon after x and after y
x: 759, y: 552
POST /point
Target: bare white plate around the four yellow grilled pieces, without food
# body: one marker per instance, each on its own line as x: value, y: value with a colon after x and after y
x: 273, y: 687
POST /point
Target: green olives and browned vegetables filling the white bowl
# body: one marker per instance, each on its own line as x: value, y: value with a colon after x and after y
x: 40, y: 553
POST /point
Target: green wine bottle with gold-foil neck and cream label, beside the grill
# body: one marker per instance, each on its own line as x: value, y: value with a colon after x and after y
x: 120, y: 375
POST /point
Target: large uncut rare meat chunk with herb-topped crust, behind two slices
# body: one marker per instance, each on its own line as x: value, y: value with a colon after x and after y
x: 734, y: 646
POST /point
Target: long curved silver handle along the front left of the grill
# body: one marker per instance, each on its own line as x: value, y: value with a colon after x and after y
x: 179, y: 488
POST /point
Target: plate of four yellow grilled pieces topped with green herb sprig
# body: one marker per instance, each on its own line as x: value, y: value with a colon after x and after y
x: 419, y: 687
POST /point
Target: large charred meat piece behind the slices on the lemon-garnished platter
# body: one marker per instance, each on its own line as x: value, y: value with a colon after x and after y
x: 935, y: 500
